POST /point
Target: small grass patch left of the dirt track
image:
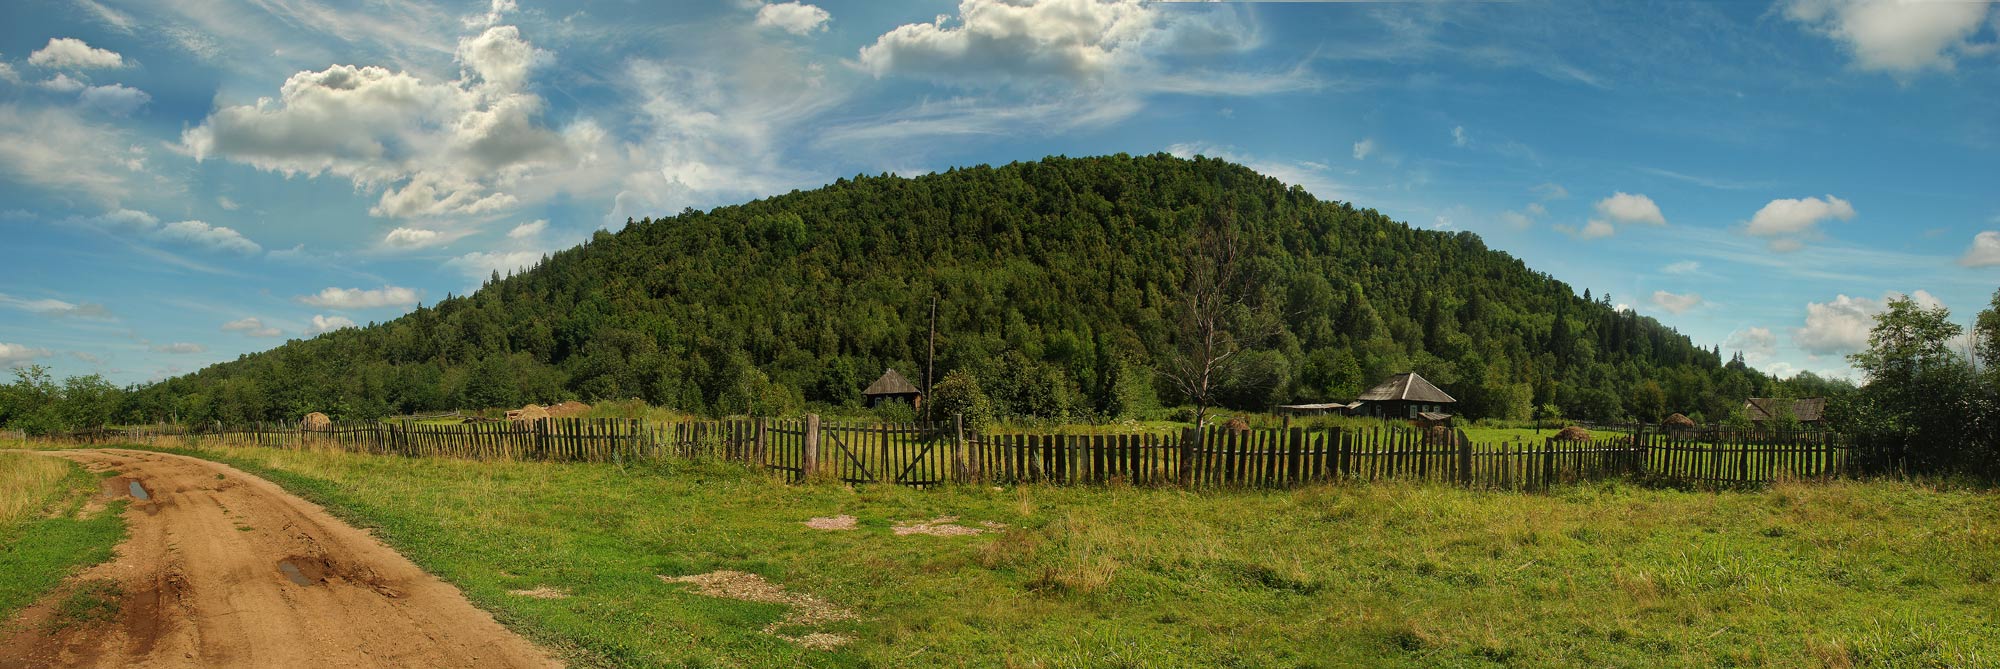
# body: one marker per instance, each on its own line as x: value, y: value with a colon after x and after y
x: 47, y: 530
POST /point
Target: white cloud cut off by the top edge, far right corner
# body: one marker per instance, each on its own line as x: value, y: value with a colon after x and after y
x: 1897, y: 35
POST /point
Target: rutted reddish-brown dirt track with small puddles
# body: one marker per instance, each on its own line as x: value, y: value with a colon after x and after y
x: 225, y: 570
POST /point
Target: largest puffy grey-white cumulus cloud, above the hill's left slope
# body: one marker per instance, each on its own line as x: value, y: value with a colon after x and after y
x: 433, y: 149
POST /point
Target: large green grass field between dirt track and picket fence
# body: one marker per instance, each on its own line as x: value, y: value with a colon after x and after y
x: 1335, y: 576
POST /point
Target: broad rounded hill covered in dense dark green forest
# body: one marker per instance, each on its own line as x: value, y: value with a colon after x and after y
x: 1057, y: 287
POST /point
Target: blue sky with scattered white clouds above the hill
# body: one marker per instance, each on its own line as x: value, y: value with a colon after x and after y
x: 189, y: 181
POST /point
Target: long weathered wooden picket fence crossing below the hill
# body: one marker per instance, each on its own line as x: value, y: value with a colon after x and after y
x: 935, y: 454
